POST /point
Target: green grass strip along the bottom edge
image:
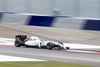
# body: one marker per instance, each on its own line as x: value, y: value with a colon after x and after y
x: 39, y: 64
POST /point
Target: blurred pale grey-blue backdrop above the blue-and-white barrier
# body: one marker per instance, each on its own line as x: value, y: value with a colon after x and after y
x: 76, y: 8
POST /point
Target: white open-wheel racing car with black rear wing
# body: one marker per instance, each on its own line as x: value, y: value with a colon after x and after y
x: 22, y: 40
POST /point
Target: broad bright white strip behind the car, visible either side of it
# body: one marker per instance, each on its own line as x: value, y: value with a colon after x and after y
x: 9, y: 41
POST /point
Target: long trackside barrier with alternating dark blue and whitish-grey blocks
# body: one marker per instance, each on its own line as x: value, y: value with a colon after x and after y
x: 51, y: 21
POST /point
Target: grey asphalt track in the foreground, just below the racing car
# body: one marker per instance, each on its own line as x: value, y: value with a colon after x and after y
x: 52, y: 55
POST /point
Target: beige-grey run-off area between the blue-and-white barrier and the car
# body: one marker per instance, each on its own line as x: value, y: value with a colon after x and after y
x: 57, y: 34
